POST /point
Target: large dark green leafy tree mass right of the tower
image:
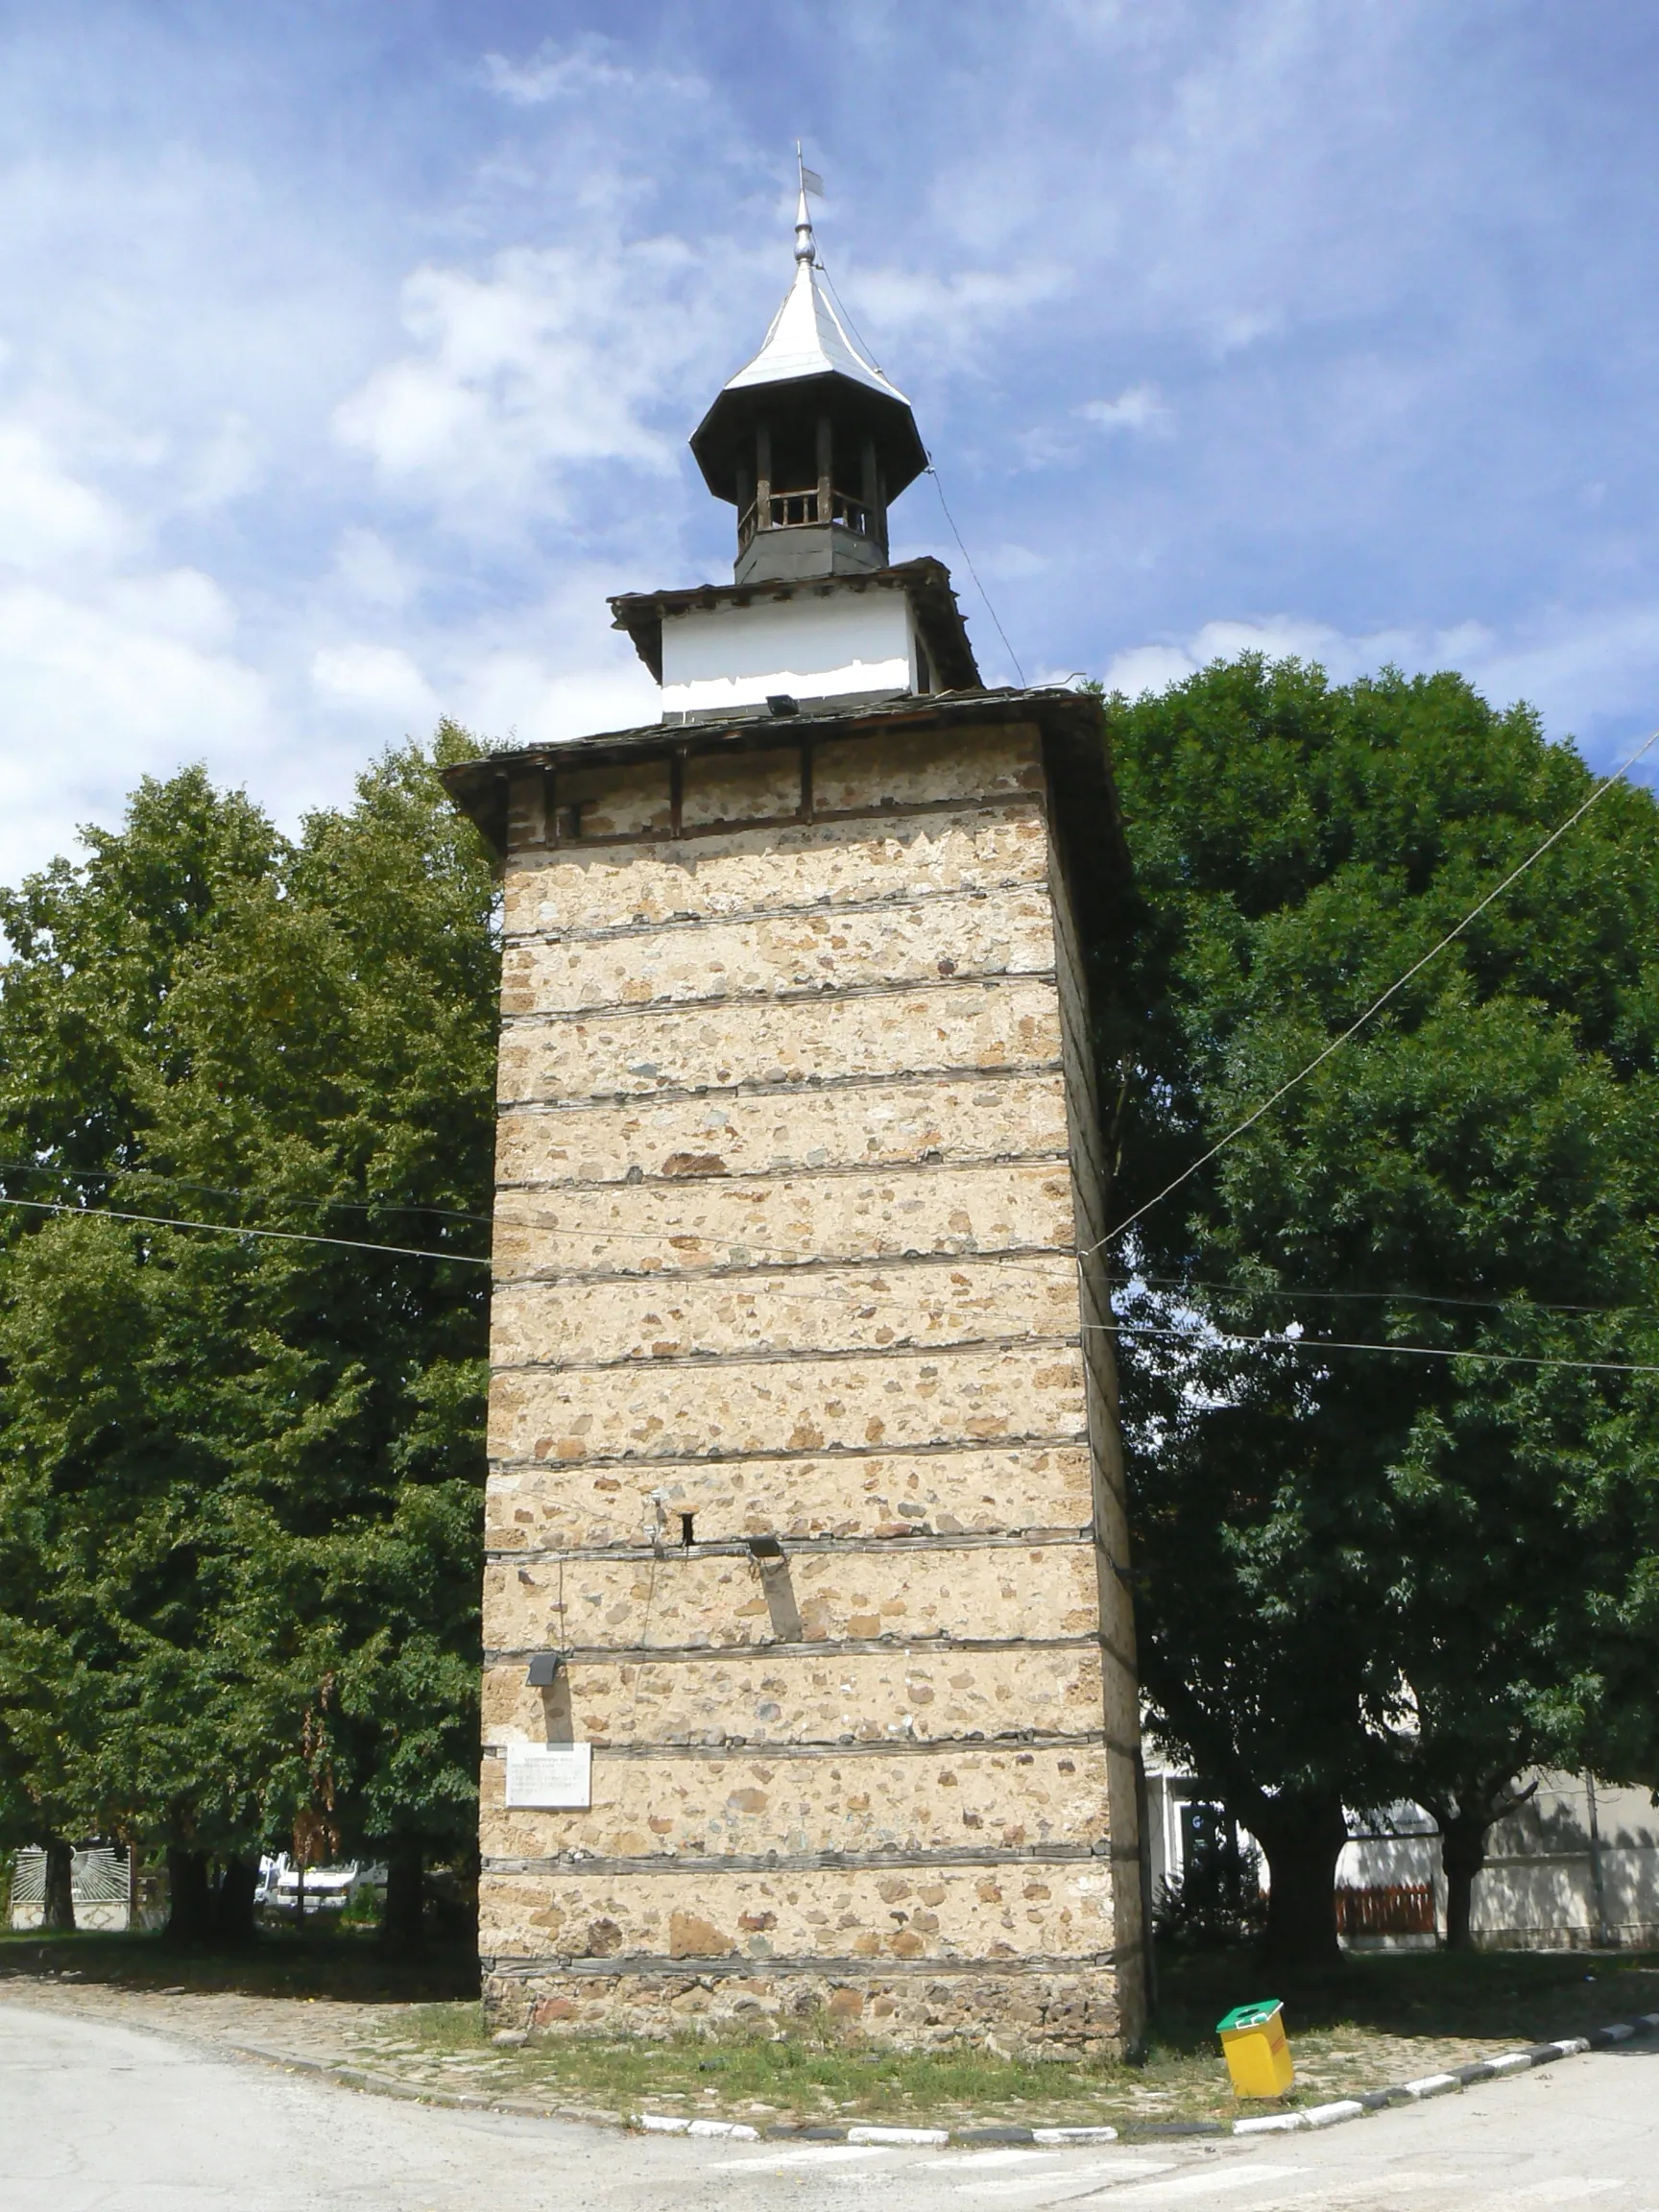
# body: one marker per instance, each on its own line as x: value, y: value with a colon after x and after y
x: 1379, y: 1574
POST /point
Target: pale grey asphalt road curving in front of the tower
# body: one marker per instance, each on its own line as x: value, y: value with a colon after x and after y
x: 114, y: 2120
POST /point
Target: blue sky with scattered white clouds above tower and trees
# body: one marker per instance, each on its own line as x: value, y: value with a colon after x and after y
x: 348, y: 348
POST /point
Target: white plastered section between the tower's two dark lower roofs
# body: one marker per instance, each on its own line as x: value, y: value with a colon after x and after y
x: 822, y: 643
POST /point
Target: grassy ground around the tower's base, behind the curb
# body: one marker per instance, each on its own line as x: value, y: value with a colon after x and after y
x: 1375, y: 2021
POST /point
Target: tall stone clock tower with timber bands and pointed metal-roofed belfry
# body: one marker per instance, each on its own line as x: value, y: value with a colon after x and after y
x: 811, y: 1669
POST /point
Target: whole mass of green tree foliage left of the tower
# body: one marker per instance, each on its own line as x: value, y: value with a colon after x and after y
x: 240, y: 1477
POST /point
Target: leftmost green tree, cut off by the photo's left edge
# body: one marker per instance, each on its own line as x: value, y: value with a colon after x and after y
x: 83, y: 1019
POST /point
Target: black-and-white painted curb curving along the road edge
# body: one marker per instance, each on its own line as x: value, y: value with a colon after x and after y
x: 735, y: 2131
